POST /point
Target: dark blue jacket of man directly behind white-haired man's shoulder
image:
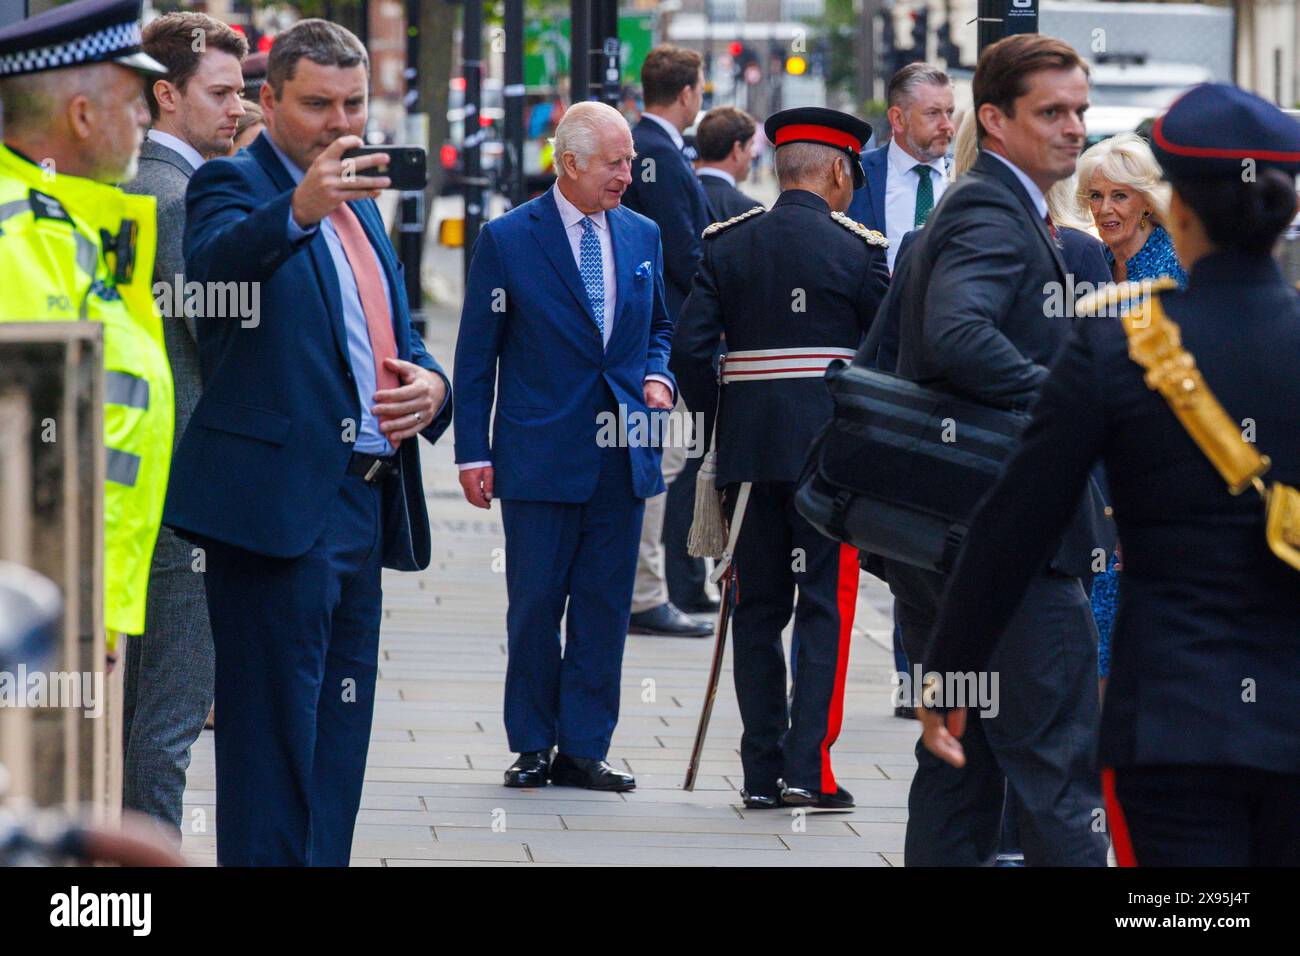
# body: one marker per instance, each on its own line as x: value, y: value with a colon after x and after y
x: 675, y: 201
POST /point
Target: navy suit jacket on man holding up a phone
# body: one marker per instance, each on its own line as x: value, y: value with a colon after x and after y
x: 268, y: 444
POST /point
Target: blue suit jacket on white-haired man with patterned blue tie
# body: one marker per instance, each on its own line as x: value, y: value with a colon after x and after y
x: 541, y: 341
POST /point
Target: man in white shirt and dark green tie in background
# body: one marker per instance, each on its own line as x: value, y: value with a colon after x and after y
x: 908, y: 175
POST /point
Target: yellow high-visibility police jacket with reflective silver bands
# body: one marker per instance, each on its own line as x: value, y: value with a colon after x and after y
x: 76, y: 250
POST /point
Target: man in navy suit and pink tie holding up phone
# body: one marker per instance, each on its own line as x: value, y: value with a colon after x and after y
x: 300, y: 473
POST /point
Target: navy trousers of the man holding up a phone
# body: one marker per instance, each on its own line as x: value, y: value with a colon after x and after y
x: 297, y: 644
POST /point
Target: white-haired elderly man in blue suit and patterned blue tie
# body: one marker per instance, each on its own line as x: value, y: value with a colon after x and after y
x: 565, y: 323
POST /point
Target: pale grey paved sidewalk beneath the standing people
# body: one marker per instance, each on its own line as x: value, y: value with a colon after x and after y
x: 434, y: 793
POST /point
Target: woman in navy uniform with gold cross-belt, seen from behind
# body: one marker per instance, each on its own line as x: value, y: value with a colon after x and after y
x: 1201, y: 738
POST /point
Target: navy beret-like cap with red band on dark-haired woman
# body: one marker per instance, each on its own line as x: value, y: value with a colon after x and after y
x: 1212, y: 129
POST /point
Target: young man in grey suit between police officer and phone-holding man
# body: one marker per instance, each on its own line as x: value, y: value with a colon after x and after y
x: 170, y: 669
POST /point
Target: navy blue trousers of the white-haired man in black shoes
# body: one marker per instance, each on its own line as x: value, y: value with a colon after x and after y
x: 584, y: 556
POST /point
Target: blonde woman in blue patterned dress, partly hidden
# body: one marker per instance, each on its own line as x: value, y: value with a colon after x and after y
x: 1121, y: 184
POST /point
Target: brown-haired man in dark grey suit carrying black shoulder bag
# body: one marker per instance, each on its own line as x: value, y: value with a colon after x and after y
x: 983, y: 318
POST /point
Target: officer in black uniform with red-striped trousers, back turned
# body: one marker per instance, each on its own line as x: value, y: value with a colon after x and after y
x: 791, y: 289
